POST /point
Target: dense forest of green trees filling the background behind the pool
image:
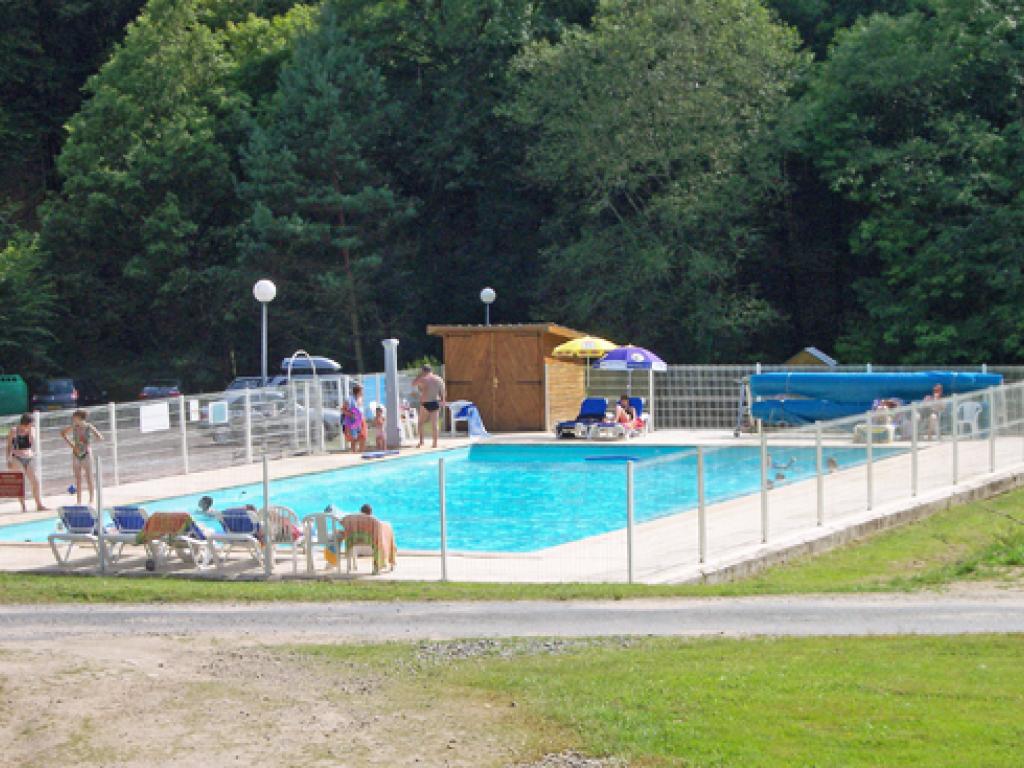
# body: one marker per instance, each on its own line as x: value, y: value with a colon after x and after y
x: 718, y: 181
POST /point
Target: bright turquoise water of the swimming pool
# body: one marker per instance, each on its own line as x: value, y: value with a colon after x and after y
x: 514, y: 498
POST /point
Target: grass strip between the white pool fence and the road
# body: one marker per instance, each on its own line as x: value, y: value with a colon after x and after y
x: 983, y: 540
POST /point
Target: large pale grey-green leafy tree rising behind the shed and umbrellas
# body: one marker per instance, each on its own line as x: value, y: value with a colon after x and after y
x: 650, y: 133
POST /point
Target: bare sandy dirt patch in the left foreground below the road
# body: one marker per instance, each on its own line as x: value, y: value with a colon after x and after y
x: 150, y: 702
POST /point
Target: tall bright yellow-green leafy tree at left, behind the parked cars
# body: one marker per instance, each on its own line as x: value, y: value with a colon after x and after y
x: 143, y: 236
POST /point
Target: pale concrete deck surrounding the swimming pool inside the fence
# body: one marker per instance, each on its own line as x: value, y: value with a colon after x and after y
x: 665, y: 550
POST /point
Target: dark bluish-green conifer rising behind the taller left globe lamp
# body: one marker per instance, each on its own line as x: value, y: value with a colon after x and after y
x: 326, y: 220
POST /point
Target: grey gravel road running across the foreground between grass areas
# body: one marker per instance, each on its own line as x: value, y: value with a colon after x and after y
x: 848, y: 615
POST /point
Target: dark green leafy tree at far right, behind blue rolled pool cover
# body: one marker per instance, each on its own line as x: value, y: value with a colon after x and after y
x: 917, y: 121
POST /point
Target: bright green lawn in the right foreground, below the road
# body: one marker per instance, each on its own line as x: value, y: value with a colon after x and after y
x: 793, y: 702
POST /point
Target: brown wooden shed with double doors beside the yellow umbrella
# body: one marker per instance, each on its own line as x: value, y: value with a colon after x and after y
x: 508, y: 372
